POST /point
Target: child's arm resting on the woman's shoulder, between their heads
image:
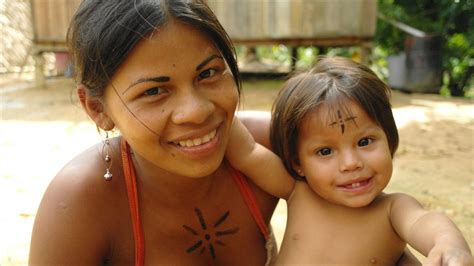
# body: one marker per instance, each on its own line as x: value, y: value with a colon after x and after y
x: 257, y: 162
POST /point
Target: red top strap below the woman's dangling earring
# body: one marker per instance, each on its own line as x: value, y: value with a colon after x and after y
x: 131, y: 183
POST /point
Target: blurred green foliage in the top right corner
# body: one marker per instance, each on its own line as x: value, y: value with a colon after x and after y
x: 452, y: 19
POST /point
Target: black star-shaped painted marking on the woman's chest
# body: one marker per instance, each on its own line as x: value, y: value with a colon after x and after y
x: 209, y: 237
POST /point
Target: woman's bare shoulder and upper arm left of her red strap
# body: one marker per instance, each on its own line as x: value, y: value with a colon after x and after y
x: 73, y: 219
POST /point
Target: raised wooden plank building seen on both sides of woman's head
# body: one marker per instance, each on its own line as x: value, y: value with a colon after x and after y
x: 320, y: 23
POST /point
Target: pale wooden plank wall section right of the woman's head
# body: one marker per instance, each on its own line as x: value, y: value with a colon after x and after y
x: 320, y: 23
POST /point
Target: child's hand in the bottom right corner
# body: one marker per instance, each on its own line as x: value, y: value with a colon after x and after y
x: 449, y: 256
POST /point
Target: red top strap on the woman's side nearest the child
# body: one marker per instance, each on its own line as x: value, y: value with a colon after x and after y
x: 251, y: 201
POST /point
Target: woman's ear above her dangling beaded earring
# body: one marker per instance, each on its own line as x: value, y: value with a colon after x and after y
x: 94, y: 108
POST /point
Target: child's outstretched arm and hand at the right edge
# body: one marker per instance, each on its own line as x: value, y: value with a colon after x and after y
x: 433, y: 234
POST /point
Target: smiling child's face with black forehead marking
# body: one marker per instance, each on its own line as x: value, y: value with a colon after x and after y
x: 346, y: 160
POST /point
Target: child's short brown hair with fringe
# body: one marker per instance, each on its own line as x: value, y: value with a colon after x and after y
x: 331, y: 81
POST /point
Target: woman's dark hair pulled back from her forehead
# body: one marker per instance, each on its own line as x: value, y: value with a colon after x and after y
x: 102, y: 34
